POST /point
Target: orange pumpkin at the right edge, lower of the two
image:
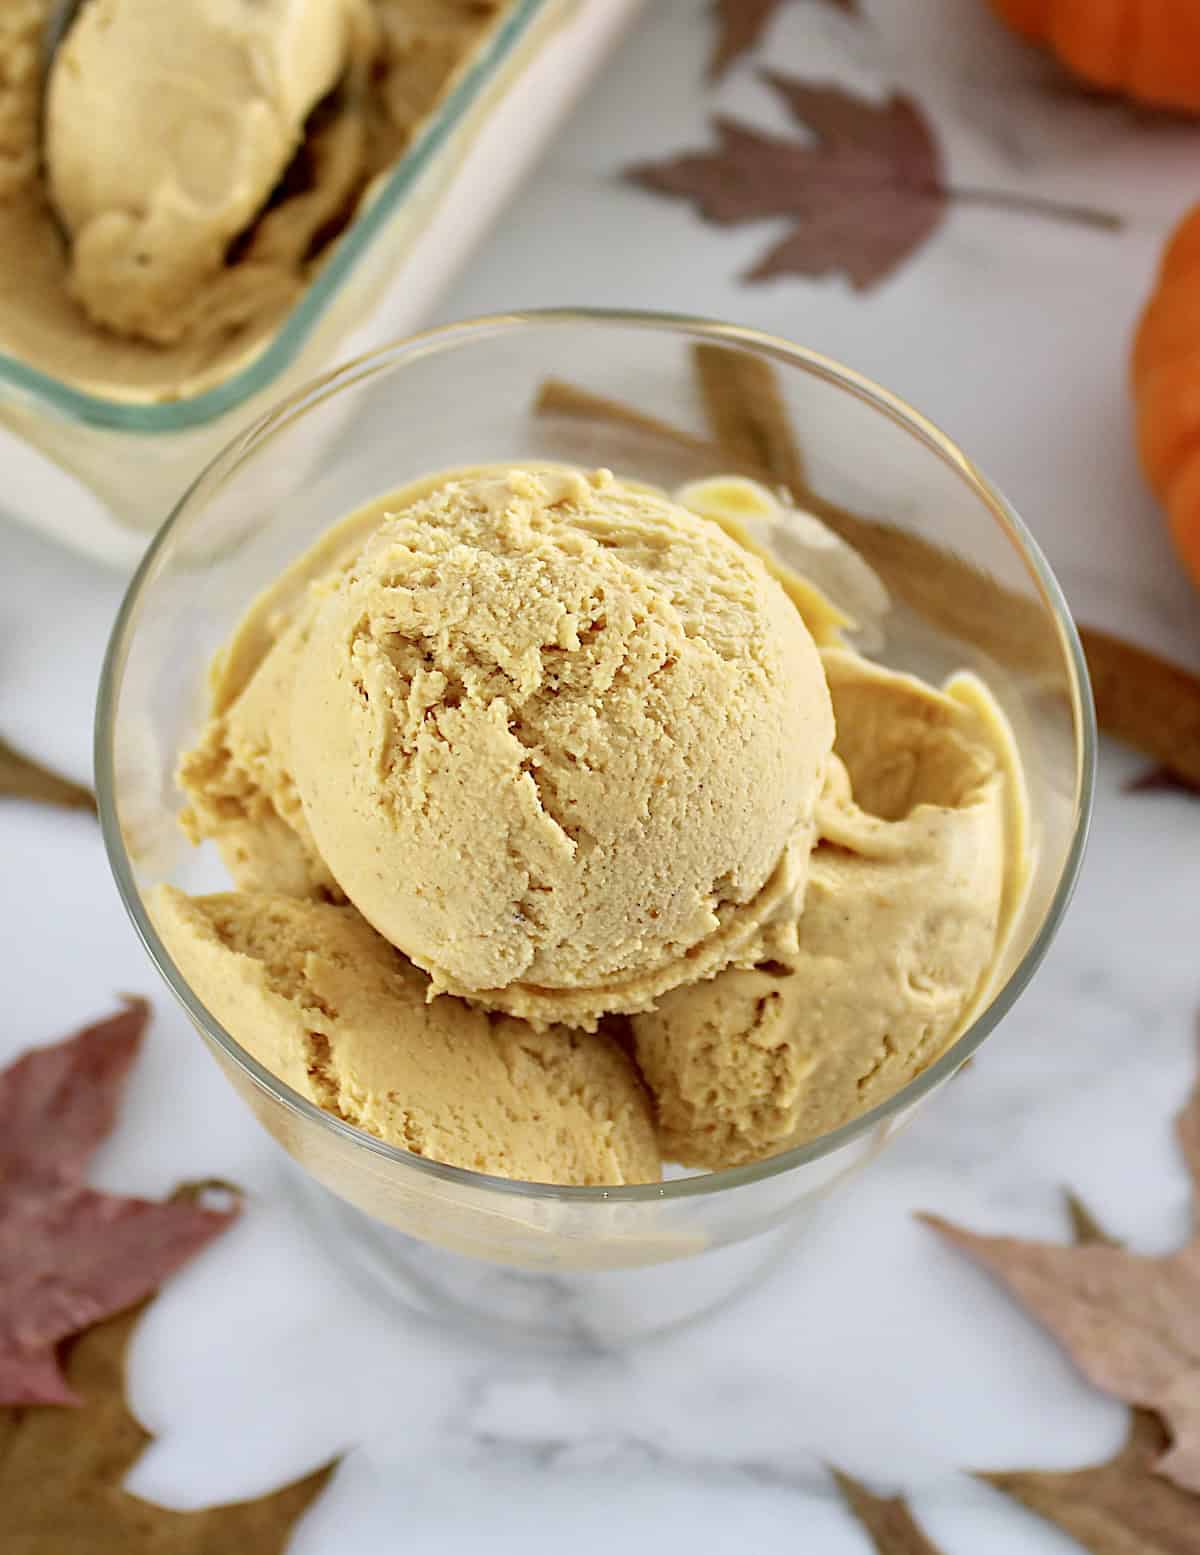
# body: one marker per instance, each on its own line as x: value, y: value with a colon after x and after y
x: 1167, y: 388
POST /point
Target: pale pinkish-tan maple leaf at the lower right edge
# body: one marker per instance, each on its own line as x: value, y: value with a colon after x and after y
x: 1131, y: 1324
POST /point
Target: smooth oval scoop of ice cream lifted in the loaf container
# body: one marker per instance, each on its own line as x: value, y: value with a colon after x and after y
x: 167, y: 127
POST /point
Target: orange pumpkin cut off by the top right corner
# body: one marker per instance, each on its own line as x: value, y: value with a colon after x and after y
x: 1146, y: 49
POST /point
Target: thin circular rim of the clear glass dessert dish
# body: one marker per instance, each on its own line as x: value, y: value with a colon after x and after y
x: 456, y: 337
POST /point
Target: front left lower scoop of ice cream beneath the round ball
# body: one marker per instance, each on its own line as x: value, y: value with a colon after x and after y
x: 323, y: 1002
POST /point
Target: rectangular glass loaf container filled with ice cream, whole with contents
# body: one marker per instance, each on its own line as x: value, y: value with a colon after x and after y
x: 309, y: 175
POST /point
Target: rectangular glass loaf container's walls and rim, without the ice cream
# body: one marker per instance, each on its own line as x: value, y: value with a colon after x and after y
x: 100, y: 472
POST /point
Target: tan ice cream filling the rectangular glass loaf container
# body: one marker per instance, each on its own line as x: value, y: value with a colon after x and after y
x: 203, y: 156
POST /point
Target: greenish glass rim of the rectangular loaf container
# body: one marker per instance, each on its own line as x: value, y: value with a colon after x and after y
x: 285, y: 346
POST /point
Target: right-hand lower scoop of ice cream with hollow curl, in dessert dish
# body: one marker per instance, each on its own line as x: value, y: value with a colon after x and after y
x: 909, y: 893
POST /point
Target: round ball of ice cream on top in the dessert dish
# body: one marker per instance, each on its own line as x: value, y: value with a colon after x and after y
x: 562, y: 743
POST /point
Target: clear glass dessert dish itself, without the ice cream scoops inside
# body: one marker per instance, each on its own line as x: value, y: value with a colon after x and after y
x: 661, y: 400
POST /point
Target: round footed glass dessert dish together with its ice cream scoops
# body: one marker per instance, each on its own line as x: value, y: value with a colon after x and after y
x: 584, y: 828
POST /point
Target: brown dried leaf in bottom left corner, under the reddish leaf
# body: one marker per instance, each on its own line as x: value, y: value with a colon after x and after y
x: 61, y: 1475
